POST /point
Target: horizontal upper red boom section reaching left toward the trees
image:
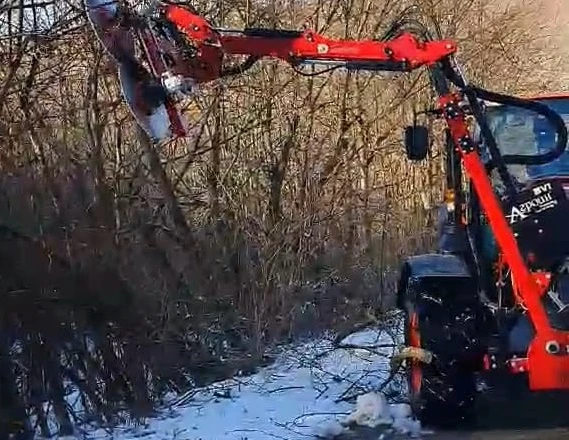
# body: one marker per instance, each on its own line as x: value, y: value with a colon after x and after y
x: 402, y: 54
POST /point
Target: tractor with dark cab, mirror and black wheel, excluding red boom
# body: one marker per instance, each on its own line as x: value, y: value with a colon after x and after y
x: 461, y: 303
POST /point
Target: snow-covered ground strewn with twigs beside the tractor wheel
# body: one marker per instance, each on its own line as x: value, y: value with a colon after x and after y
x: 305, y: 394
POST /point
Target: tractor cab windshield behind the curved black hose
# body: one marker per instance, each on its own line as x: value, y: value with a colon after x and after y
x: 523, y: 132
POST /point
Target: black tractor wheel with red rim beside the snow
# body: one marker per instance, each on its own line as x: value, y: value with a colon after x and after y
x: 442, y: 393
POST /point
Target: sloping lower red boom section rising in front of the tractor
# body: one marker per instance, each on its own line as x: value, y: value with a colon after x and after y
x: 546, y: 370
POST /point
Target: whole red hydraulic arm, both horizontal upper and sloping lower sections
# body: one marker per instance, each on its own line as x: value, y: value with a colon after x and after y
x: 548, y: 355
